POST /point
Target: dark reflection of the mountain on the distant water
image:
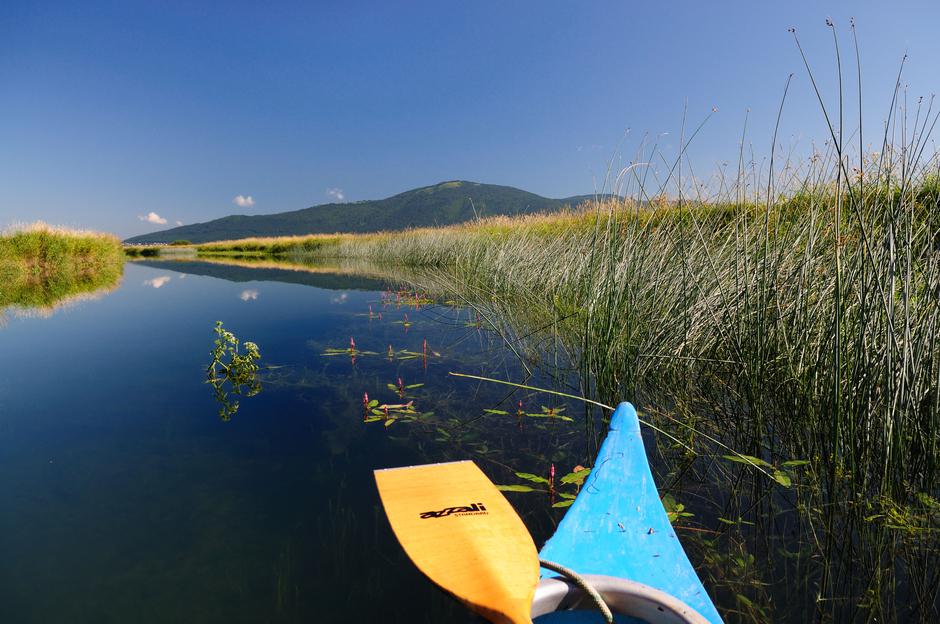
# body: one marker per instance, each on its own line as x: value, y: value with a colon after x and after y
x: 270, y: 271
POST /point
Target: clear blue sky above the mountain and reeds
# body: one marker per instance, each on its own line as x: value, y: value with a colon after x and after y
x: 110, y: 111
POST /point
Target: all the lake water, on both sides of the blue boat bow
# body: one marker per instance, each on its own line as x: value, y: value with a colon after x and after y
x: 127, y: 498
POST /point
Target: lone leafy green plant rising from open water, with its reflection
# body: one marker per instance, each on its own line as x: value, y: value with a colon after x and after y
x: 240, y: 370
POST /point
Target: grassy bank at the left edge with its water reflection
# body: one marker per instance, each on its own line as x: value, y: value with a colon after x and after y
x: 43, y: 266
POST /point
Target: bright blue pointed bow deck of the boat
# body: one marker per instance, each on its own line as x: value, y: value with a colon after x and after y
x: 617, y: 526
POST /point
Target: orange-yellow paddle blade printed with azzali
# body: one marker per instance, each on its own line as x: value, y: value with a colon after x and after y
x: 464, y: 535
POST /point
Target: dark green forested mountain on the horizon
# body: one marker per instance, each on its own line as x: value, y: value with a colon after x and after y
x: 441, y: 204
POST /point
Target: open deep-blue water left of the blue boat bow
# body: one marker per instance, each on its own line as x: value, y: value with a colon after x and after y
x: 127, y: 499
